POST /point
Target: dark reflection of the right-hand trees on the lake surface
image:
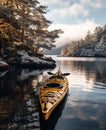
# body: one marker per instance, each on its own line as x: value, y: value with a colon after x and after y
x: 92, y: 70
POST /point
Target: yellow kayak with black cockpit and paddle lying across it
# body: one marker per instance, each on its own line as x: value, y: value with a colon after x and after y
x: 52, y: 92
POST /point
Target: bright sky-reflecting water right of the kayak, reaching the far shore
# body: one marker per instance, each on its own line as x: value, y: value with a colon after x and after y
x: 85, y: 107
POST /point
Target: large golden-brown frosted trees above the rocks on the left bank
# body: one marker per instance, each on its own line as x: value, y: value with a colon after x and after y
x: 23, y: 26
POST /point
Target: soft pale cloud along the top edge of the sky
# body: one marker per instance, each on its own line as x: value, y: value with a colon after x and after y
x: 73, y: 8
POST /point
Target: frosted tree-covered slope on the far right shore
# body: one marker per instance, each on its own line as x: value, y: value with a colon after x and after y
x: 92, y: 45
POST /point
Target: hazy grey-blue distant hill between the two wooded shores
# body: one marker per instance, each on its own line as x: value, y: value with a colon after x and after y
x: 54, y: 51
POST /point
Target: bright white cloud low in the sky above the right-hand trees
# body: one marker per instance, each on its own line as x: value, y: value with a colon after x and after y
x: 73, y: 32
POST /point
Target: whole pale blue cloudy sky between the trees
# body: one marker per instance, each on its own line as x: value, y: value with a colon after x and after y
x: 75, y: 17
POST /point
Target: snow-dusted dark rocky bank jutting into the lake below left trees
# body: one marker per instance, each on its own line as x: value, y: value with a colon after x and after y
x: 24, y: 60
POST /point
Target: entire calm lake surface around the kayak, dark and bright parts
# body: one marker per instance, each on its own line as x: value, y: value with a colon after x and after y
x: 83, y: 108
